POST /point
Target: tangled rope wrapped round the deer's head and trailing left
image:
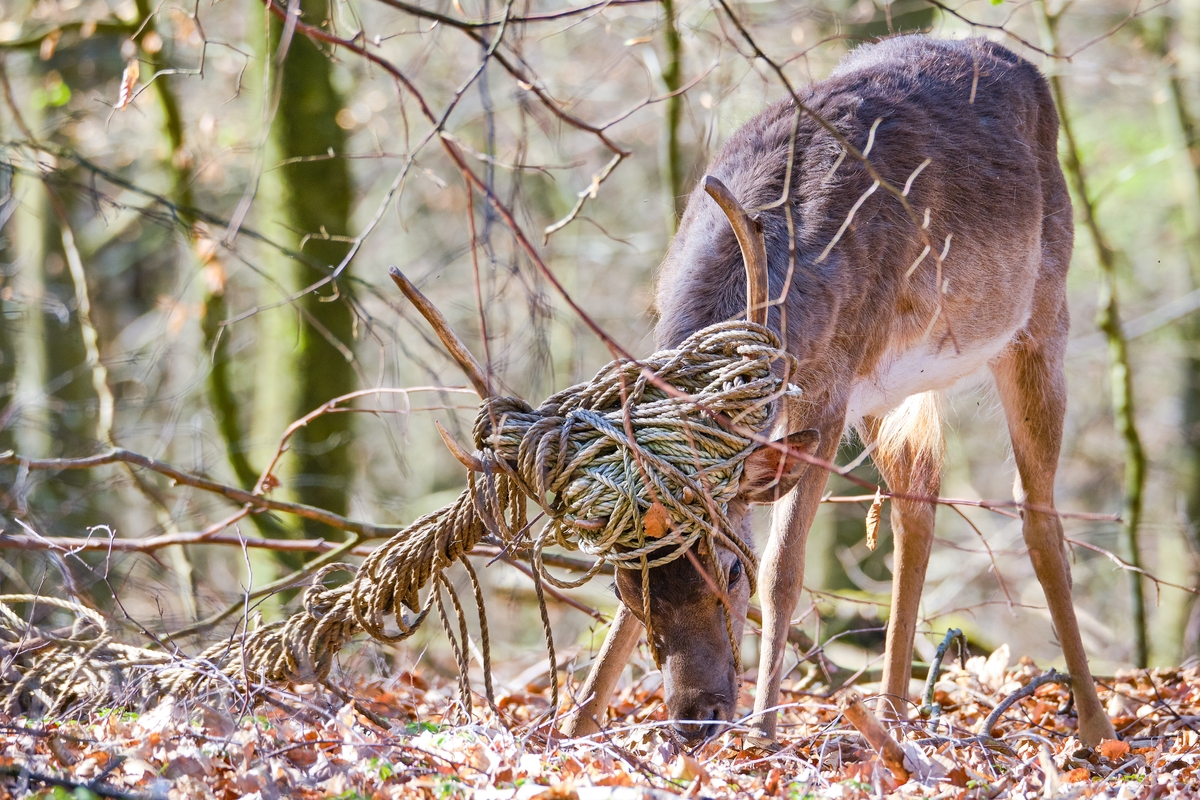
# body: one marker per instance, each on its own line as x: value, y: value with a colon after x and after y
x: 597, y: 459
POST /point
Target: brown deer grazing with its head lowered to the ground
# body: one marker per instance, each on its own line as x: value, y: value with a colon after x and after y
x: 883, y: 311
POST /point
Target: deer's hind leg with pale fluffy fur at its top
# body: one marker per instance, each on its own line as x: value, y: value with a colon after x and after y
x: 909, y: 455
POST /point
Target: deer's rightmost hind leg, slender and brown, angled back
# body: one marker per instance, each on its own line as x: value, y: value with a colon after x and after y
x: 1034, y: 392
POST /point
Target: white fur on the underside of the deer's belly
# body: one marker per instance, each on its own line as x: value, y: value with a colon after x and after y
x: 920, y: 369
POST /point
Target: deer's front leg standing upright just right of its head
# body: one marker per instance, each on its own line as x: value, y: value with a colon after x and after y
x: 782, y: 578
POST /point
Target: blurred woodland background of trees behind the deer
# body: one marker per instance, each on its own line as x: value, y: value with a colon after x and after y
x: 199, y: 207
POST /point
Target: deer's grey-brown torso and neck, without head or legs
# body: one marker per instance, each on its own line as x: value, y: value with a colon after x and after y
x: 986, y: 123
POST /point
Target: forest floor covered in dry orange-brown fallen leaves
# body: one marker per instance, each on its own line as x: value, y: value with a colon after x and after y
x: 405, y: 738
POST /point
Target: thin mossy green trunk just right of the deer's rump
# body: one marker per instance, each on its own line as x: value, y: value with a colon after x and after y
x: 1108, y: 320
